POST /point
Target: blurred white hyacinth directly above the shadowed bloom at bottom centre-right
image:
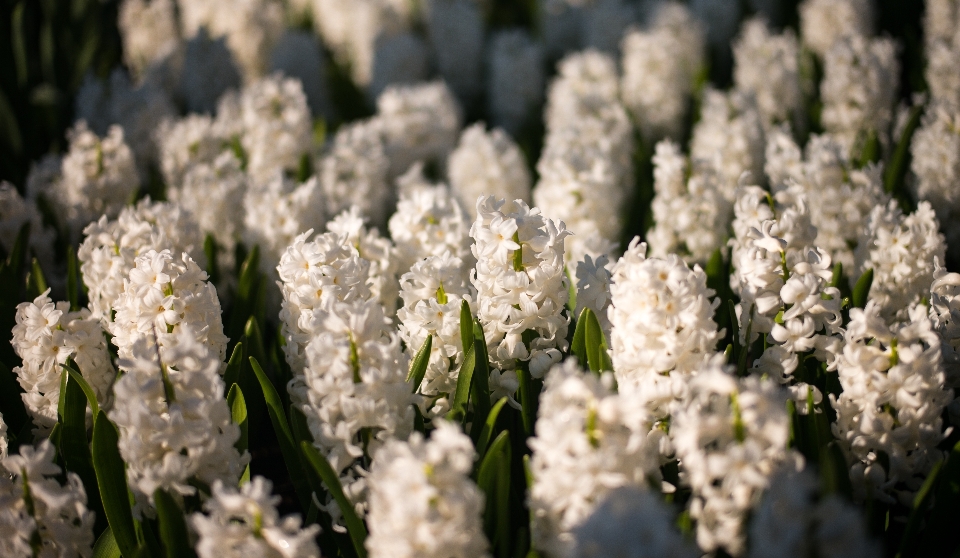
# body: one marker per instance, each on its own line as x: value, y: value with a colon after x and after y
x: 590, y: 441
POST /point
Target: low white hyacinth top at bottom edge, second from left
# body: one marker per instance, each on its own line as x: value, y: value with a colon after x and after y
x: 243, y: 523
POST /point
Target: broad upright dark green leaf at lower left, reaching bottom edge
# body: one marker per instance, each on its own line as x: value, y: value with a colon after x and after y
x: 112, y: 480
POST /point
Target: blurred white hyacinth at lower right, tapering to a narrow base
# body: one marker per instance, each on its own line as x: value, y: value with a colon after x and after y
x: 730, y: 436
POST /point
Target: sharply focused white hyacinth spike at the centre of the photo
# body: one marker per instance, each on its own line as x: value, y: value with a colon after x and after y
x: 521, y: 286
